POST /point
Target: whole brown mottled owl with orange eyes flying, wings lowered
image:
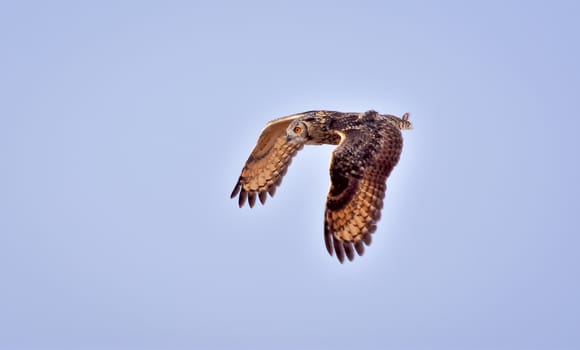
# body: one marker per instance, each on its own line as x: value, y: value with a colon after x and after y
x: 369, y: 146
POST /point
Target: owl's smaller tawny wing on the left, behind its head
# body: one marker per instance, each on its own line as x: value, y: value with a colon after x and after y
x: 267, y: 163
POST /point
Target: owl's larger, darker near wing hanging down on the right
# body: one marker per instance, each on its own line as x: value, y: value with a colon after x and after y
x: 359, y: 169
